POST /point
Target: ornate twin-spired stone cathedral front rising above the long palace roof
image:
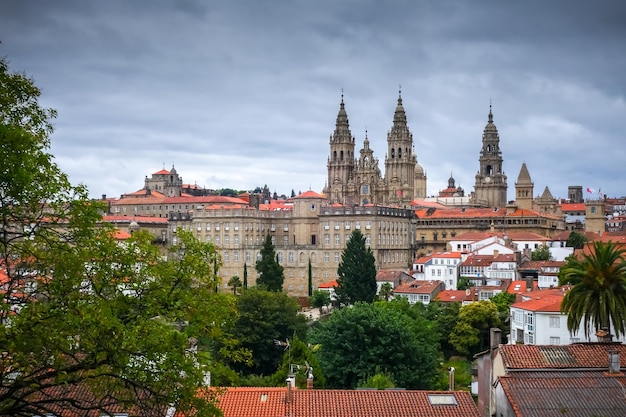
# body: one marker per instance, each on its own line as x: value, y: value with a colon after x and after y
x: 357, y: 179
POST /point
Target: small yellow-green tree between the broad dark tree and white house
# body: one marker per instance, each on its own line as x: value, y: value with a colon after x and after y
x: 471, y: 332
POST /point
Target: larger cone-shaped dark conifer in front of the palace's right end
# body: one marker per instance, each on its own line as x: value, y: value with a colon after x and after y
x: 357, y: 272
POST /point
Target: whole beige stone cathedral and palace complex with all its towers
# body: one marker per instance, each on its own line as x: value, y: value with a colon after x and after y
x: 388, y: 209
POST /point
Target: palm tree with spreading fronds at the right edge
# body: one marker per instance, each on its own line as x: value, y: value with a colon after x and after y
x: 598, y: 295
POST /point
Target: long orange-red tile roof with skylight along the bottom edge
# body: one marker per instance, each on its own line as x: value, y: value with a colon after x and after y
x: 270, y: 402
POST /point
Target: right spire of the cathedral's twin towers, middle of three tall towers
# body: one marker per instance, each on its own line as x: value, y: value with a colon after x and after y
x: 400, y: 160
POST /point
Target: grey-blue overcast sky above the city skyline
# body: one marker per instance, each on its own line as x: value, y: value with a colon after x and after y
x: 238, y: 94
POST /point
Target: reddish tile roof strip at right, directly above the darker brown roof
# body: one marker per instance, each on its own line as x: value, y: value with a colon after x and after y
x: 577, y: 355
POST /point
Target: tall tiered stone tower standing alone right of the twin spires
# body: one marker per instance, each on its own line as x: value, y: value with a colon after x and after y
x: 490, y: 187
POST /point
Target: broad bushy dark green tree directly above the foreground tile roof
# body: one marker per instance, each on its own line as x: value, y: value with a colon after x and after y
x: 359, y: 342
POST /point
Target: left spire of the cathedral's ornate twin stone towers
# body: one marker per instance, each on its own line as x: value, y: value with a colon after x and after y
x: 341, y: 159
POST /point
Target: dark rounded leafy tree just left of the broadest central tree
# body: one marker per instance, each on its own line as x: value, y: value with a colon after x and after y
x: 265, y: 317
